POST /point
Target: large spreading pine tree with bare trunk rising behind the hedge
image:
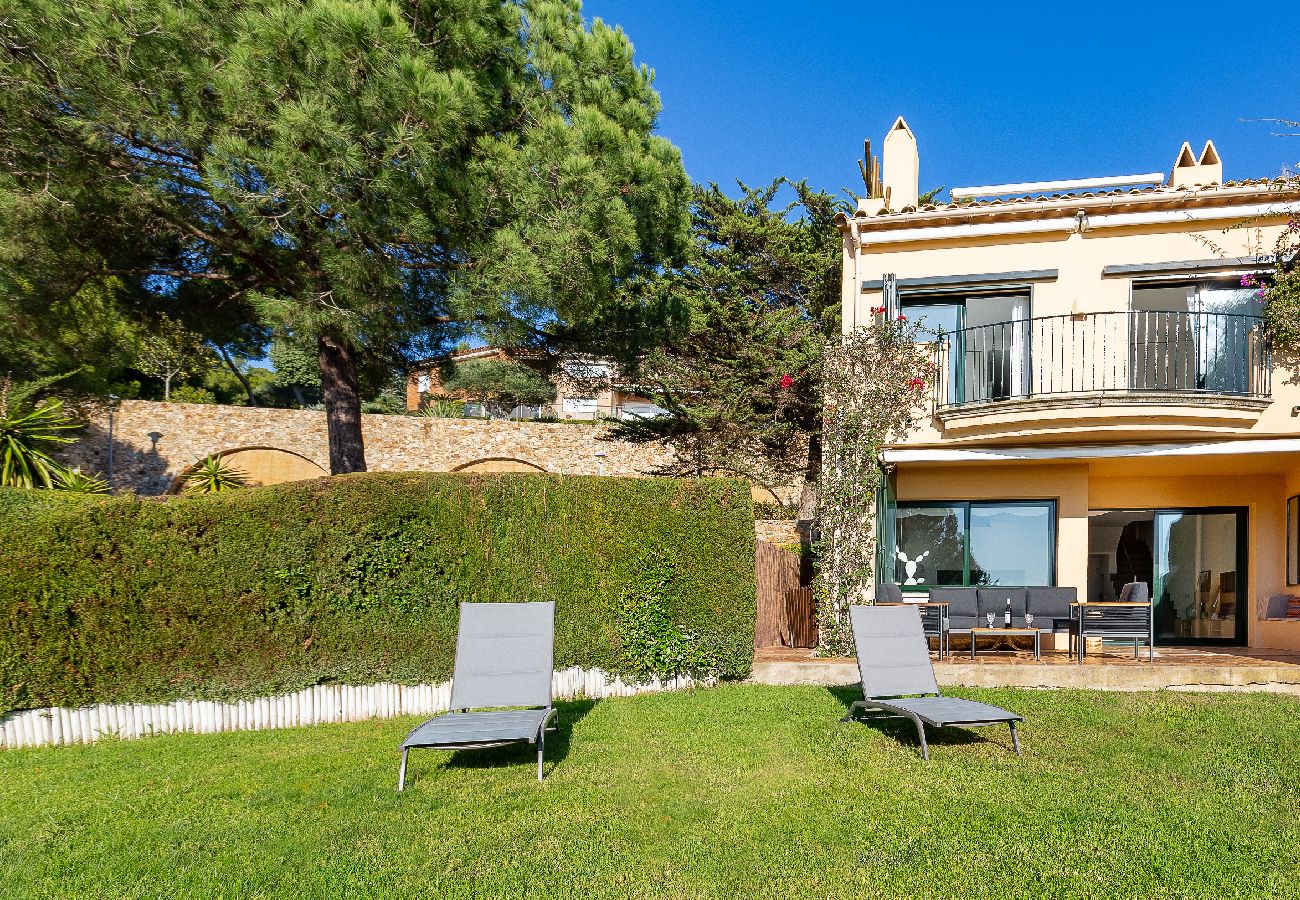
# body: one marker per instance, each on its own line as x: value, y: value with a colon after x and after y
x: 371, y: 176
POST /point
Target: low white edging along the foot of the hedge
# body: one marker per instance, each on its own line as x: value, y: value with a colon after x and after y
x: 315, y: 706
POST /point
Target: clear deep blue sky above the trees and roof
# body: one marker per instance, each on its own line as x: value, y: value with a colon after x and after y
x: 995, y: 93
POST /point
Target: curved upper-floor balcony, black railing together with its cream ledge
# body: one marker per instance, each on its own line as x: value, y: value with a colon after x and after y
x: 1210, y: 365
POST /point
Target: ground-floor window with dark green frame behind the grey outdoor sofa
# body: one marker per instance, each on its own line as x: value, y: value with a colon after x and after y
x: 980, y: 543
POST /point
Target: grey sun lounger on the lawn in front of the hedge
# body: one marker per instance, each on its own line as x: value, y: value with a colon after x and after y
x: 505, y: 657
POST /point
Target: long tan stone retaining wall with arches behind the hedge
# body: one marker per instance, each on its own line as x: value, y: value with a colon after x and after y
x: 154, y: 444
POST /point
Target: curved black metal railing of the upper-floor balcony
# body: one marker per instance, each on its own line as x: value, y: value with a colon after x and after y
x: 1124, y: 353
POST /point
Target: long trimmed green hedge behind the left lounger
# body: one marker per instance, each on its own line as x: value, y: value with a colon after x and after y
x: 352, y: 579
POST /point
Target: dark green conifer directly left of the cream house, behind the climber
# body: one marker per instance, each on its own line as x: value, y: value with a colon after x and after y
x: 755, y: 308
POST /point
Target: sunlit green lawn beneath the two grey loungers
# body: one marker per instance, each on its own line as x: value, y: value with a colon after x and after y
x: 736, y: 791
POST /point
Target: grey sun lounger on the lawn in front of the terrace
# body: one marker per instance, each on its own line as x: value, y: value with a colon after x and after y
x: 894, y: 661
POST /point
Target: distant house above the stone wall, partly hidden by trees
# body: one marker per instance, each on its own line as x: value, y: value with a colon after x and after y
x: 586, y: 390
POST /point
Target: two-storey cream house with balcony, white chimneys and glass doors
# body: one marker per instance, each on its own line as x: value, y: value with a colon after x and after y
x: 1108, y: 408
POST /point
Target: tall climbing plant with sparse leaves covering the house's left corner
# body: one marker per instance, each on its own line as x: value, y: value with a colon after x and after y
x: 877, y: 386
